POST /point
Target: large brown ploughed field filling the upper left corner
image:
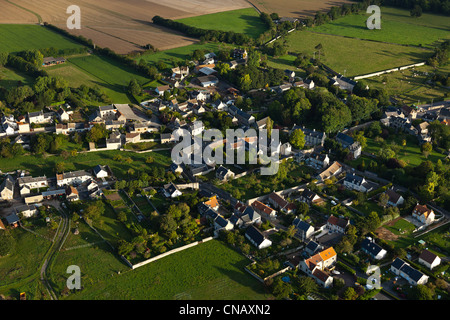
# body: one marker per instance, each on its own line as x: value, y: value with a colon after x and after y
x: 121, y: 25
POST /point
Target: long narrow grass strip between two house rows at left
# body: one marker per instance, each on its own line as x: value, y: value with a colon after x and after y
x: 39, y: 165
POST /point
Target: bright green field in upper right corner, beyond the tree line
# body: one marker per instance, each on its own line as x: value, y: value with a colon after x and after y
x: 397, y: 26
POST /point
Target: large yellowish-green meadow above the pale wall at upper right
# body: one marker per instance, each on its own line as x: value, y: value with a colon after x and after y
x: 350, y: 56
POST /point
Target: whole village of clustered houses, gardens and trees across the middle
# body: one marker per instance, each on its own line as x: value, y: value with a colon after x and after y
x: 308, y: 224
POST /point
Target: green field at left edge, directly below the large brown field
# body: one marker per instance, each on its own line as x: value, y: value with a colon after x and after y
x: 15, y: 38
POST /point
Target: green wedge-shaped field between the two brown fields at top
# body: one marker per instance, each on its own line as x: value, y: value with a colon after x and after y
x: 246, y: 21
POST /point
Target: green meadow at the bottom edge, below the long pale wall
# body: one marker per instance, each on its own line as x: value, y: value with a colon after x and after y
x: 208, y: 271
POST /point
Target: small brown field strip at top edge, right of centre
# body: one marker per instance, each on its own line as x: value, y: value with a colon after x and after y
x: 296, y: 8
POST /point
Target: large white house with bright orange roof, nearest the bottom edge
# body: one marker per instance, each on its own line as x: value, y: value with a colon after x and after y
x: 318, y: 265
